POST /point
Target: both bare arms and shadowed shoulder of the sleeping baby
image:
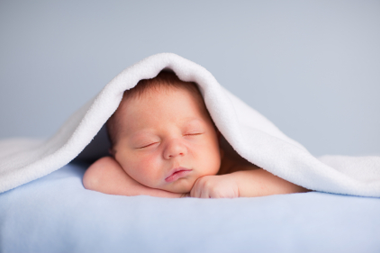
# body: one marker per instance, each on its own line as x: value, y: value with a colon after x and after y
x: 107, y: 176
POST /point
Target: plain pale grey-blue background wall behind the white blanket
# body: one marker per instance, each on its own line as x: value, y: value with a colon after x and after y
x: 311, y: 67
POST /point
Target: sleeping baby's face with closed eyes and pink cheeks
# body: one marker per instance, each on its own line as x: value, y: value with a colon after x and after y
x: 167, y: 140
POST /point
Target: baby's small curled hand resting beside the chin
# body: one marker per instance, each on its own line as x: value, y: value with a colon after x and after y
x: 223, y: 186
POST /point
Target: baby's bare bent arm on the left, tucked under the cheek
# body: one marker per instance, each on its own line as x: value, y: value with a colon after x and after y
x: 107, y: 176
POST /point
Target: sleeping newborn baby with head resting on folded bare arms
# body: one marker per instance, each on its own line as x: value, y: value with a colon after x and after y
x: 165, y: 144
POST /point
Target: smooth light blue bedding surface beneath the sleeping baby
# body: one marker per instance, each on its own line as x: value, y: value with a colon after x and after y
x: 56, y: 214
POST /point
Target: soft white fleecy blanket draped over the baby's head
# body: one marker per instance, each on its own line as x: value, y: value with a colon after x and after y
x: 249, y: 133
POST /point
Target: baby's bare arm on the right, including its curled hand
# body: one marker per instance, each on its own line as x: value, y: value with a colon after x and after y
x: 243, y: 183
